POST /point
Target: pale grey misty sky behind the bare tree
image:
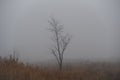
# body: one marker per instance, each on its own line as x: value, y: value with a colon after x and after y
x: 93, y: 24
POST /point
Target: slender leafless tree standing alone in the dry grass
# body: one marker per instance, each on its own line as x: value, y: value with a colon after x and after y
x: 60, y: 41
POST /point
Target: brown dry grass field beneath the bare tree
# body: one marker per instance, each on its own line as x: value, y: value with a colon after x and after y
x: 13, y: 70
